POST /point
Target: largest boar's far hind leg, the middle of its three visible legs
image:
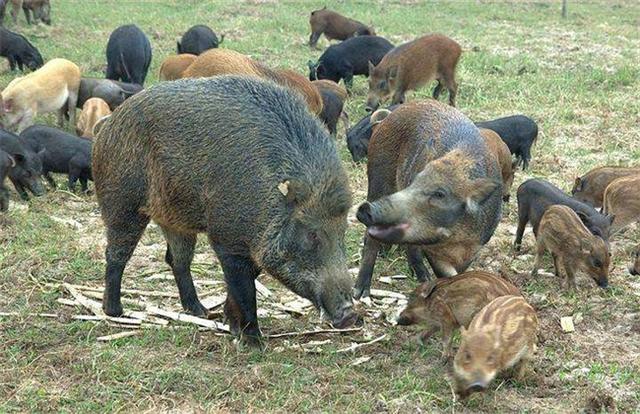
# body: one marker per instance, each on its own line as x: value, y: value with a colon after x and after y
x: 179, y: 256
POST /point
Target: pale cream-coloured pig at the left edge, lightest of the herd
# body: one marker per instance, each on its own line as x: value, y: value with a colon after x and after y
x: 53, y: 87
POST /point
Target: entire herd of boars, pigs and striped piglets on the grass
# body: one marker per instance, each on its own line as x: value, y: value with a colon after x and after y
x: 242, y: 152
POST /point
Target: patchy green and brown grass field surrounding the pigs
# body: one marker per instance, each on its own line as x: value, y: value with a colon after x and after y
x: 579, y: 78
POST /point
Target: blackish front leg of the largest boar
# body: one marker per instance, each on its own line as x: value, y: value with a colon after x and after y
x: 240, y: 307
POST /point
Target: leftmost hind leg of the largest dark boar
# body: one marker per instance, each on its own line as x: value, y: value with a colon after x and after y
x: 123, y: 234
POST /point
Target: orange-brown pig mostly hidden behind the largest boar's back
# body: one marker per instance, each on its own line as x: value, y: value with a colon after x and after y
x: 216, y: 62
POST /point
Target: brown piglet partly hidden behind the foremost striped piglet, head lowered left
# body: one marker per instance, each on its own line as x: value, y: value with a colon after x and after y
x: 452, y: 302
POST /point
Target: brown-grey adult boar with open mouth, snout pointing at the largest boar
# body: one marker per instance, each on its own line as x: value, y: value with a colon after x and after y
x: 434, y: 186
